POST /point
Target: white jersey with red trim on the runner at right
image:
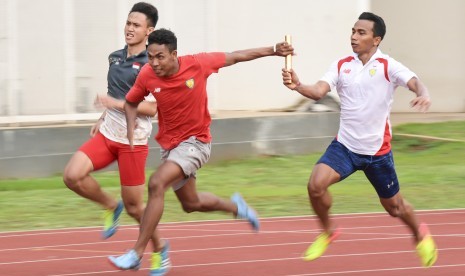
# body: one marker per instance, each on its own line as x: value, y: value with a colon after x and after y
x: 366, y: 93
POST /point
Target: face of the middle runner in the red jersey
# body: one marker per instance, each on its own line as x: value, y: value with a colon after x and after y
x: 163, y: 63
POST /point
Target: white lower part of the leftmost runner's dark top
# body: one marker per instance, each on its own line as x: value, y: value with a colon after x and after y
x: 114, y: 126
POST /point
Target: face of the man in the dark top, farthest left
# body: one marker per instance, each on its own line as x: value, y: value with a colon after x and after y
x: 136, y: 30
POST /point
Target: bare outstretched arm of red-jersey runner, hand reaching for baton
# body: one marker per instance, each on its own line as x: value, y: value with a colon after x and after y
x: 282, y: 49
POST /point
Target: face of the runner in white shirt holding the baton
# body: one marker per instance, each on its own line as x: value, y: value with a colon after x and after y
x: 362, y: 39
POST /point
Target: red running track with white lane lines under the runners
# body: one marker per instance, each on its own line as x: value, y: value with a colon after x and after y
x: 370, y: 244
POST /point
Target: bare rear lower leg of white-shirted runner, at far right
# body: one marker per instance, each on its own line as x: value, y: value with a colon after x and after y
x: 397, y: 206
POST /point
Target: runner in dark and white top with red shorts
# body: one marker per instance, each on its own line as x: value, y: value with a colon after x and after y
x: 109, y: 143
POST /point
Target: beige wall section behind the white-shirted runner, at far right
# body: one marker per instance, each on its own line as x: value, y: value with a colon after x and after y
x: 428, y: 36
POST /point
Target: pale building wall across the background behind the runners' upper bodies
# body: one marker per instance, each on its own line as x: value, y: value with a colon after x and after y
x: 54, y: 52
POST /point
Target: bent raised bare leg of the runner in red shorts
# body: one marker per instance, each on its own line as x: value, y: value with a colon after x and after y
x: 76, y: 177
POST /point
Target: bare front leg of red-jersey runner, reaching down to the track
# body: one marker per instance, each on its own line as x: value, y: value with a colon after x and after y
x: 159, y: 182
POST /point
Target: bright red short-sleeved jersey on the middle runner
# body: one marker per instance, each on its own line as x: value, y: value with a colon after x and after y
x: 181, y: 98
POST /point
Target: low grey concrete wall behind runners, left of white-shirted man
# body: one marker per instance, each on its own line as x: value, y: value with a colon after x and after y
x: 44, y: 151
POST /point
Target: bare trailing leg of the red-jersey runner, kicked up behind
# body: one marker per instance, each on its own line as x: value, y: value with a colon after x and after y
x: 193, y: 201
